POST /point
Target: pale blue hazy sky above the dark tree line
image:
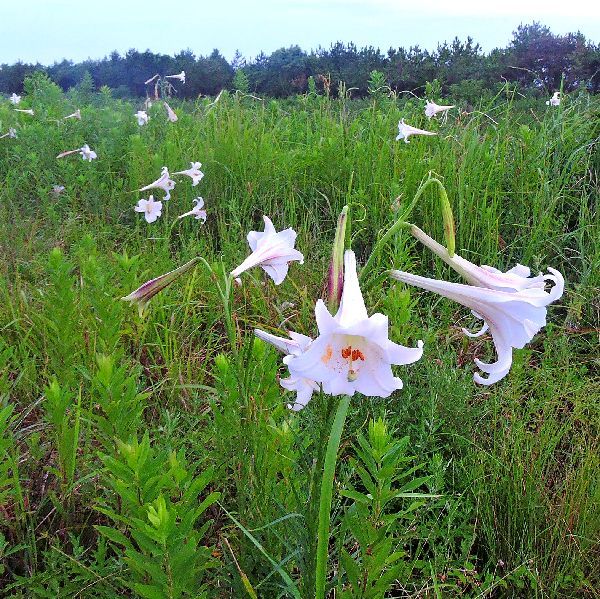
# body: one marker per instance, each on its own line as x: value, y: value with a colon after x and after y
x: 49, y: 30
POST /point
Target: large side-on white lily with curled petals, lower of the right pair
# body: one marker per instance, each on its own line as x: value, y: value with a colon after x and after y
x: 512, y: 317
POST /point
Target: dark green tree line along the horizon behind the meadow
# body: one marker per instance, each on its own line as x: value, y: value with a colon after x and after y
x: 537, y: 60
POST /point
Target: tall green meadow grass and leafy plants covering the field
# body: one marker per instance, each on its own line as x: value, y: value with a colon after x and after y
x: 155, y: 456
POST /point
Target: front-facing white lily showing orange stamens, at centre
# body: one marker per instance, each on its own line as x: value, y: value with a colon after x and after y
x: 352, y: 352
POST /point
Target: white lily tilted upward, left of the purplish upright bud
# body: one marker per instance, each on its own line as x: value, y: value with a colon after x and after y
x: 272, y: 251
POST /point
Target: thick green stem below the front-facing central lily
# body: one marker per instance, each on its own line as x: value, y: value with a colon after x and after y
x: 326, y: 496
